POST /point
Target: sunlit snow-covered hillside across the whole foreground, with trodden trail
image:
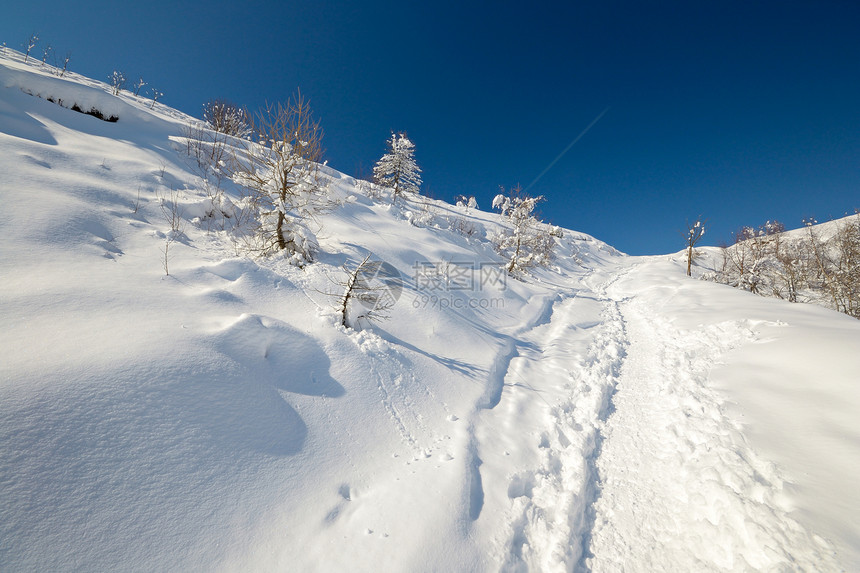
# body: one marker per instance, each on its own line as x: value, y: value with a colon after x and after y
x: 605, y: 414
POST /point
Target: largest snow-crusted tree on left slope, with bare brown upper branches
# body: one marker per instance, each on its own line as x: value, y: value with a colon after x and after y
x: 281, y: 172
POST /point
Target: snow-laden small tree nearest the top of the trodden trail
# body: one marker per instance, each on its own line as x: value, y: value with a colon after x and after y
x: 530, y: 242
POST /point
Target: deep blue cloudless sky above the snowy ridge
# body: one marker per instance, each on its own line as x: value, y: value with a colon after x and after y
x: 739, y: 111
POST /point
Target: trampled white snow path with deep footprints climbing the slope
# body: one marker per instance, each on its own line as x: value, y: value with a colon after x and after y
x: 608, y: 450
